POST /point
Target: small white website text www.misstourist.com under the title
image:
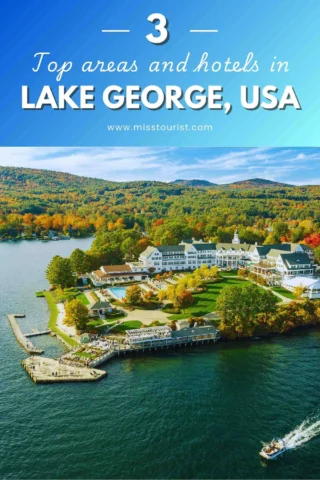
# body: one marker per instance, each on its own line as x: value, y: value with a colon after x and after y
x: 177, y: 127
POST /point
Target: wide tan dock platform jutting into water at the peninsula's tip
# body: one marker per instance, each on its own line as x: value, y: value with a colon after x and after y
x: 48, y: 370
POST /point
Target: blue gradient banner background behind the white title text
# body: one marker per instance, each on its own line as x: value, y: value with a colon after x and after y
x: 71, y: 30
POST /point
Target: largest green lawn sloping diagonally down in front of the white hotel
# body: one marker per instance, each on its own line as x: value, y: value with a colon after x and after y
x: 206, y: 302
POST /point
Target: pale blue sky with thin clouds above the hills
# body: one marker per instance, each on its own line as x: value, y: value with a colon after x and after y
x: 298, y: 166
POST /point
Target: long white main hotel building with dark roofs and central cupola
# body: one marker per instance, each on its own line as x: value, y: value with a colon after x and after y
x: 282, y: 260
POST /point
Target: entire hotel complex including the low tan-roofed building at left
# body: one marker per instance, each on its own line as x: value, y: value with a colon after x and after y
x: 276, y: 263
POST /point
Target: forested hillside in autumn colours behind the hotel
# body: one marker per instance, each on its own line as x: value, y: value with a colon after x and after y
x: 35, y: 201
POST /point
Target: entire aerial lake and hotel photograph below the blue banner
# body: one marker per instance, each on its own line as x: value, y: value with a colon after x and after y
x: 159, y: 312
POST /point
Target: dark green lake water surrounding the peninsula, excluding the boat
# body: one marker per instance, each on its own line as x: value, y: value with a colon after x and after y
x: 189, y: 413
